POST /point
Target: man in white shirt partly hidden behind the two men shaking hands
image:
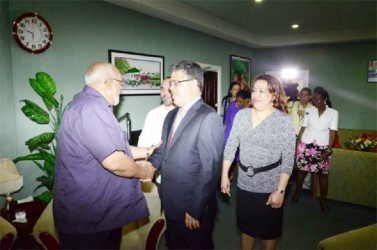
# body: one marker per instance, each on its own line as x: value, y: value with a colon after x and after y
x: 151, y: 134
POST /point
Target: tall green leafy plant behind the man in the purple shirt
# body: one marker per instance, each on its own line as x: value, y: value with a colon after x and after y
x: 43, y: 147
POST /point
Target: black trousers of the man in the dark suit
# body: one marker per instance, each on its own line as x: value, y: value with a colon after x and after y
x: 180, y: 237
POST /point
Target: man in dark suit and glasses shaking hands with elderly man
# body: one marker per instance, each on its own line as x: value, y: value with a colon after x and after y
x: 190, y: 159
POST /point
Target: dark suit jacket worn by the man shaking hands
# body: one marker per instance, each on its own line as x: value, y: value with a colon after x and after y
x: 191, y: 163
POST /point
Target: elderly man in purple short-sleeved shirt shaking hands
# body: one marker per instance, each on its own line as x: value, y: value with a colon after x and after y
x: 97, y: 181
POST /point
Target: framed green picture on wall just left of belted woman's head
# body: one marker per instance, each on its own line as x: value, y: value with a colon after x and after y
x: 240, y: 70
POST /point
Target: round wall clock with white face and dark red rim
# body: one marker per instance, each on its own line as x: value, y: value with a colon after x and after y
x: 32, y: 33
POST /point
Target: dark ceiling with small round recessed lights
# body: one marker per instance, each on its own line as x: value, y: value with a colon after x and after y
x: 268, y: 24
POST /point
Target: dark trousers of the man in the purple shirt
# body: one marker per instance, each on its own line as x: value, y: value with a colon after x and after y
x: 102, y: 240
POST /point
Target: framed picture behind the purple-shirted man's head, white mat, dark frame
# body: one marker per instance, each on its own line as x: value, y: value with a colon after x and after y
x: 142, y: 73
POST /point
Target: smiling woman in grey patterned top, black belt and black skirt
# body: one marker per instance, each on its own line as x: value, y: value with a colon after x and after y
x: 266, y: 138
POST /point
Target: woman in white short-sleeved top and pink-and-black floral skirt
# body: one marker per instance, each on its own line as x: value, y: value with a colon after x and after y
x: 315, y: 142
